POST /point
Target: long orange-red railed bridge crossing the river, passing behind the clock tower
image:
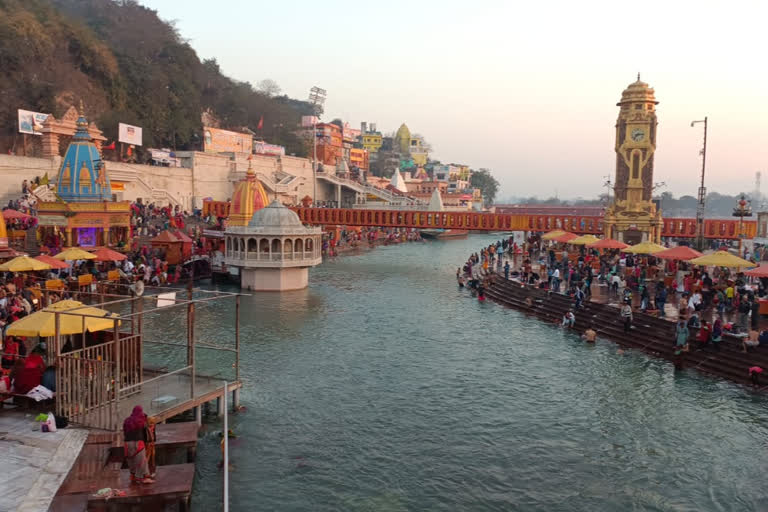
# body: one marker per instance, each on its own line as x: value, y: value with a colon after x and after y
x: 476, y: 221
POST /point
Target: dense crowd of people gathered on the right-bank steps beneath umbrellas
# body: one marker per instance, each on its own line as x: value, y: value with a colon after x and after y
x: 717, y: 302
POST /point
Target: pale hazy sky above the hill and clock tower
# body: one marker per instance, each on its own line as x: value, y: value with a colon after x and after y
x: 527, y: 89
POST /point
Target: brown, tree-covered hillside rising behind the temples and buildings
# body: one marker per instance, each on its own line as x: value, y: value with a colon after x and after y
x: 127, y: 65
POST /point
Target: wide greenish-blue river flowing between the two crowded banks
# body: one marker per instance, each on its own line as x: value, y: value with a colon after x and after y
x: 383, y: 387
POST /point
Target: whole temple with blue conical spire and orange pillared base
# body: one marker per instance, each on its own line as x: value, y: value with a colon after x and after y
x: 84, y: 208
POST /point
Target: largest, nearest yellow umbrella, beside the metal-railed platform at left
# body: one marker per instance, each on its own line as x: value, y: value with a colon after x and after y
x: 43, y: 322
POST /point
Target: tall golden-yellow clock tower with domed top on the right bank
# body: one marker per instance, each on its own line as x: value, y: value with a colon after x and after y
x: 633, y: 217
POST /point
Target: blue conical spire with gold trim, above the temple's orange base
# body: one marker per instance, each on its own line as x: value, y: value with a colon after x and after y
x: 83, y: 175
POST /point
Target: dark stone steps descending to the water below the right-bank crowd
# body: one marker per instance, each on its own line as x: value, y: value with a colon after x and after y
x: 653, y: 335
